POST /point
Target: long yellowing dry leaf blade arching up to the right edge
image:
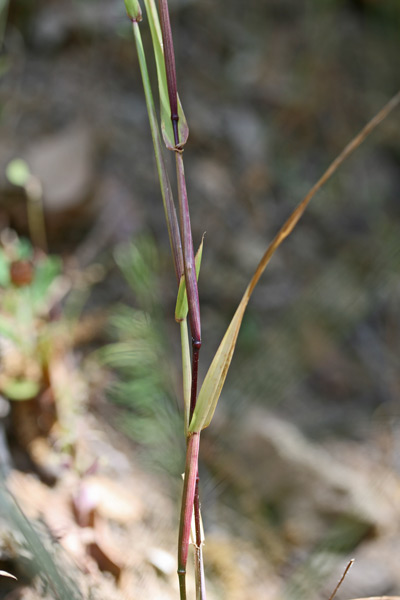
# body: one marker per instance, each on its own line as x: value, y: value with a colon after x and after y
x: 216, y: 375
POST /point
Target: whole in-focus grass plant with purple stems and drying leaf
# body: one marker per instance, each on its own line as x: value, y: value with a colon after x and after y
x: 199, y: 407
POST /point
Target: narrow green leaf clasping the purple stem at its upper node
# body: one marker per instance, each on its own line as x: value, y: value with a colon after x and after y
x: 165, y: 109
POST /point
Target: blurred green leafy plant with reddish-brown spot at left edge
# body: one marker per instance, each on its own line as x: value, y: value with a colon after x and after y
x: 30, y: 286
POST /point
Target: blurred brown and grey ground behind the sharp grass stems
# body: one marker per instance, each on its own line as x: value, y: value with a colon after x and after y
x: 300, y: 470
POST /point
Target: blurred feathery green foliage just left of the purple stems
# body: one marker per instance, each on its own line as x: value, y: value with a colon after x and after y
x: 144, y: 386
